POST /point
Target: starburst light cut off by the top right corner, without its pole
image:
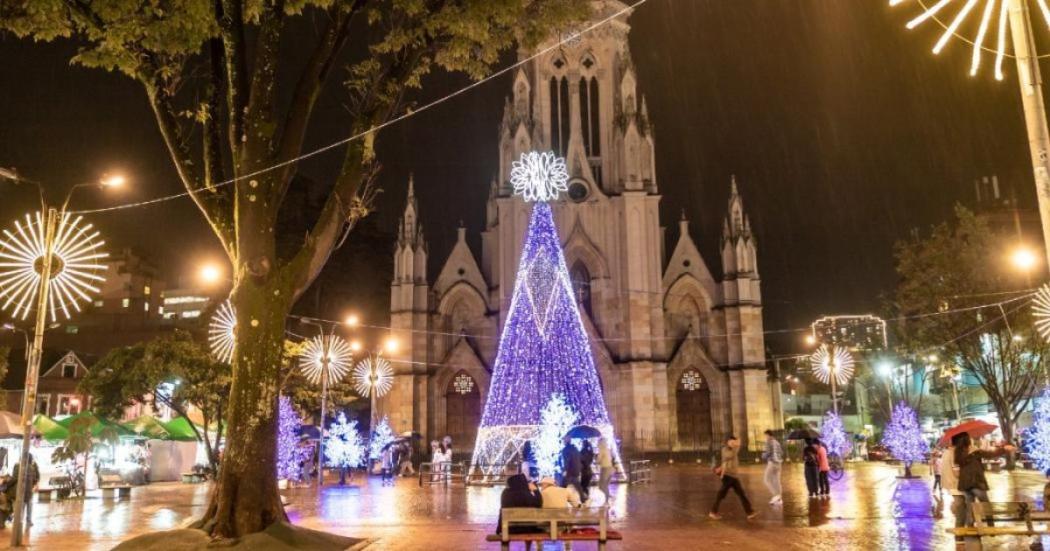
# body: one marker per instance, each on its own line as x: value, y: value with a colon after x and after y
x: 986, y: 34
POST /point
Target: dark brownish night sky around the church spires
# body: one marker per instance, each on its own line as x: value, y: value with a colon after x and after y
x: 844, y: 131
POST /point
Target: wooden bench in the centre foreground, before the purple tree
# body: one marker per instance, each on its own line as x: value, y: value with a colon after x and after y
x: 556, y: 525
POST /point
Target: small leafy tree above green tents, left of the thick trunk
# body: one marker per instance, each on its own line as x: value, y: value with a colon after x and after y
x: 174, y: 372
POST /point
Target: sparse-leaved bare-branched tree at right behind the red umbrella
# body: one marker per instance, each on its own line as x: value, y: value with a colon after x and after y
x: 960, y: 299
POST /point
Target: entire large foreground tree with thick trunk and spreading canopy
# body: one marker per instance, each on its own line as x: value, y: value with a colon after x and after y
x: 211, y: 70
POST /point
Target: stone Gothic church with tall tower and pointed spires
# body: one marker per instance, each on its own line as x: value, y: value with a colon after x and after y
x: 681, y: 355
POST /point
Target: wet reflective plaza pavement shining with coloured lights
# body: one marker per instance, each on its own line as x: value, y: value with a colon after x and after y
x: 870, y: 508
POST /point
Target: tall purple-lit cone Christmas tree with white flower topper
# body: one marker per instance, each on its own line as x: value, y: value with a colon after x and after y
x: 544, y: 350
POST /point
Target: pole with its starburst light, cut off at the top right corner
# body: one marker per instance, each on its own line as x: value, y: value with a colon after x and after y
x: 1013, y: 17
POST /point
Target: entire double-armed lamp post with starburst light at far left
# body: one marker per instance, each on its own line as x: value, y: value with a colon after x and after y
x: 58, y: 253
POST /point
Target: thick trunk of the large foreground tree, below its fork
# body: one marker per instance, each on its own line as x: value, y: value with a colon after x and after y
x: 246, y: 499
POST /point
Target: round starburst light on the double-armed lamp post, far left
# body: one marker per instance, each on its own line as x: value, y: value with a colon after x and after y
x: 77, y: 268
